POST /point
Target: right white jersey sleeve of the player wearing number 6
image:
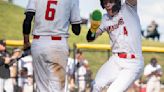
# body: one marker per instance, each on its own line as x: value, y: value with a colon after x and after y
x: 75, y: 14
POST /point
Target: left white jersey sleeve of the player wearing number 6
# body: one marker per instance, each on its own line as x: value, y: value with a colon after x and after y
x: 31, y: 6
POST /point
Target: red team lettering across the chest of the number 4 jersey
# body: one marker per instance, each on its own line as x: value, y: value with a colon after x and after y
x: 115, y: 26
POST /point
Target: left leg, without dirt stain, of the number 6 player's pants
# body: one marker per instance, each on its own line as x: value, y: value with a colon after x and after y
x: 40, y: 66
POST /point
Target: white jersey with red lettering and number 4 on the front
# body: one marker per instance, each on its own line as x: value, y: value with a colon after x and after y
x: 124, y: 30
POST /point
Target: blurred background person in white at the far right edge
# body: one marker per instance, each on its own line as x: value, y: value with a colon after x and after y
x: 153, y: 73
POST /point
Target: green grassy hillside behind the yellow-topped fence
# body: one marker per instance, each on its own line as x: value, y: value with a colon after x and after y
x: 11, y: 19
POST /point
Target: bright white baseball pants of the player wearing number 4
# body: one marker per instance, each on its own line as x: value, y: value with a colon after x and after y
x: 119, y: 73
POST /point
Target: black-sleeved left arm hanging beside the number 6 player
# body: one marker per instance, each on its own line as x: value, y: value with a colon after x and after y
x: 27, y: 28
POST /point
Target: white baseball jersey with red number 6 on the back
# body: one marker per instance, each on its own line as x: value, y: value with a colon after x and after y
x: 52, y: 17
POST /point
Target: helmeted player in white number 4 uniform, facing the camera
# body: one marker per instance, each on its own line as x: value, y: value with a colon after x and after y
x: 125, y: 65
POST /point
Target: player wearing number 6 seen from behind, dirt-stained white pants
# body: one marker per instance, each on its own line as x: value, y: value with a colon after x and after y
x: 50, y: 32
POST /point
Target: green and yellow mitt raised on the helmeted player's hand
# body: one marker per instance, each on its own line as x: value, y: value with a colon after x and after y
x: 95, y: 18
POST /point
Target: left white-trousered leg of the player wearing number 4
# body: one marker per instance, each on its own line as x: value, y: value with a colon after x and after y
x: 106, y: 74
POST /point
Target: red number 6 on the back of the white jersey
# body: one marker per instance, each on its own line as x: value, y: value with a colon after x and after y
x: 50, y: 12
